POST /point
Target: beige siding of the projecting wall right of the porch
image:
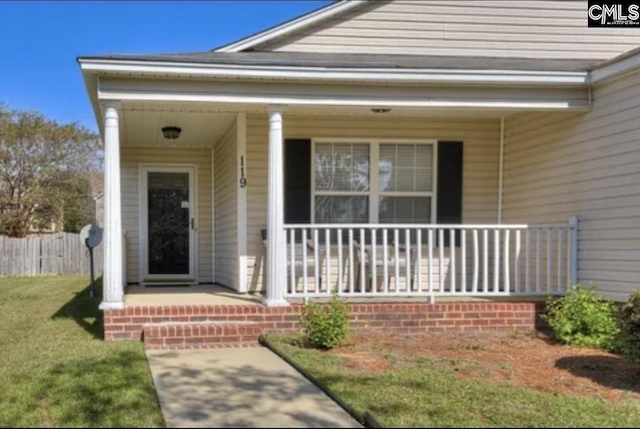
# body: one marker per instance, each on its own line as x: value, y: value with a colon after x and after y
x: 589, y: 165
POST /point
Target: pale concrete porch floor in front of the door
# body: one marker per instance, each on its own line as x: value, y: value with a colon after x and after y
x: 137, y: 295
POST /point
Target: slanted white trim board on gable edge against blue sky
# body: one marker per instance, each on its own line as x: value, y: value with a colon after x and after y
x: 294, y: 25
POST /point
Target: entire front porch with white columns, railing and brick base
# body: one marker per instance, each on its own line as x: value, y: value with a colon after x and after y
x: 398, y: 210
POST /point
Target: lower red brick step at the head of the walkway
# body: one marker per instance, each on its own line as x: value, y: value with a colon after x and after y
x: 198, y: 335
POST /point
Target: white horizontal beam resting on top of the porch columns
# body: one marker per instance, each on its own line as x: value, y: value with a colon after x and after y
x: 244, y: 94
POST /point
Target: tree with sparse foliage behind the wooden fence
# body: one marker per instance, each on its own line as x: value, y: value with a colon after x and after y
x: 45, y: 169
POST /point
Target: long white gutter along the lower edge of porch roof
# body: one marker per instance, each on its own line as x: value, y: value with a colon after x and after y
x: 421, y: 76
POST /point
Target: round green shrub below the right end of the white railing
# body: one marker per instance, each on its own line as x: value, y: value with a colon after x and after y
x: 582, y: 318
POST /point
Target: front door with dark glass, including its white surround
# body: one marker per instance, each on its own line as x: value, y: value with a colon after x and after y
x: 168, y: 199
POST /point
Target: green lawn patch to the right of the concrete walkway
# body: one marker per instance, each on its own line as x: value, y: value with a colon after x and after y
x: 419, y: 392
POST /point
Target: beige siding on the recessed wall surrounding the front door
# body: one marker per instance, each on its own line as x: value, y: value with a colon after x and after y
x: 131, y: 157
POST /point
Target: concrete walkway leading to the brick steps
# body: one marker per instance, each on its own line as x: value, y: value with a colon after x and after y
x: 241, y: 388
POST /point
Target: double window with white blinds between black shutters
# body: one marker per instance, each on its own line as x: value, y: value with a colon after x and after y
x: 400, y: 189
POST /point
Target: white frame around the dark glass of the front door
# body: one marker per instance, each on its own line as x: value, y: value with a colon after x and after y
x: 143, y: 170
